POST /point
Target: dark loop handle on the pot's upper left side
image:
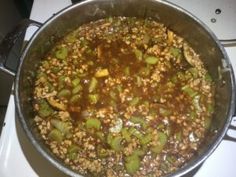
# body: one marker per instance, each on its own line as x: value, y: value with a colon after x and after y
x: 9, y: 41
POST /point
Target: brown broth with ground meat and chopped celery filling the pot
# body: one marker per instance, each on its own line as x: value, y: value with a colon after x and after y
x: 123, y: 97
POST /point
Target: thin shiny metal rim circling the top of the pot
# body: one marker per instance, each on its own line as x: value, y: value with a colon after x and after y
x: 182, y: 171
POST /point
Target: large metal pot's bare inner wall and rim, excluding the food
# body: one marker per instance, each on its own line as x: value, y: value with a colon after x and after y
x: 177, y: 19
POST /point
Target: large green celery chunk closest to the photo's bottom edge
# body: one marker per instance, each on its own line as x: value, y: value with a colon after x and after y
x: 132, y: 164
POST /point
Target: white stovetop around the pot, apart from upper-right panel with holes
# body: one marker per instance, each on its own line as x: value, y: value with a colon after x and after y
x: 19, y: 158
